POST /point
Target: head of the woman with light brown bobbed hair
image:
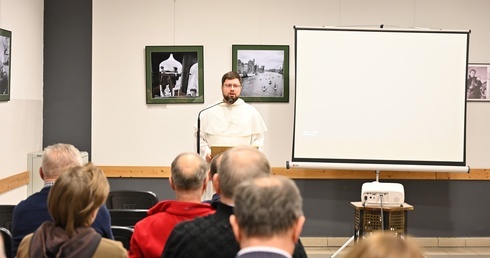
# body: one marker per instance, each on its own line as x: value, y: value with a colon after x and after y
x: 77, y: 196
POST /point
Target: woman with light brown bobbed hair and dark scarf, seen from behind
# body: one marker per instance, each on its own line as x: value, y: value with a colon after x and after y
x: 73, y: 203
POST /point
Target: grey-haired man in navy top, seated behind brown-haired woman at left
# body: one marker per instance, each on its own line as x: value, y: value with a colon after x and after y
x: 29, y: 214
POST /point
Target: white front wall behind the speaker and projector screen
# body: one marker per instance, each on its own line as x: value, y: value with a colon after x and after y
x: 126, y: 131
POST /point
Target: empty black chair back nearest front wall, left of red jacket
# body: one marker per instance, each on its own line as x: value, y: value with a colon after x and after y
x: 129, y: 199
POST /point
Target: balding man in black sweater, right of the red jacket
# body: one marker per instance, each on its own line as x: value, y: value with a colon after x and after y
x: 212, y: 236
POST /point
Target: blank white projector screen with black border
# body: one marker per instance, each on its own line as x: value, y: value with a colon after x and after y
x: 380, y: 96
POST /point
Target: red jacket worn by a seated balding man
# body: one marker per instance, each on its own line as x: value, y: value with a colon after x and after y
x: 151, y: 233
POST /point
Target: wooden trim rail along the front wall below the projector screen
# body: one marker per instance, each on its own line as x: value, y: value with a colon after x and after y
x: 164, y: 172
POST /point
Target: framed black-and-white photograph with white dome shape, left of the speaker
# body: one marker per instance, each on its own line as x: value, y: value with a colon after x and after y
x: 174, y: 74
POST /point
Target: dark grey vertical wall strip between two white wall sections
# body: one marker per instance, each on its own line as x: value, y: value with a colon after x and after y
x: 67, y: 73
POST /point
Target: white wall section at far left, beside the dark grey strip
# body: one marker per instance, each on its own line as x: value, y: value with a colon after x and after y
x: 21, y: 117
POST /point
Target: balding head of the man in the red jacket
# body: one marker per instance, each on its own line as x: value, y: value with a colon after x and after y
x: 189, y: 170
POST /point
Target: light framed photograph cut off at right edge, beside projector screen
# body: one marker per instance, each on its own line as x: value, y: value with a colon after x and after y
x: 477, y: 82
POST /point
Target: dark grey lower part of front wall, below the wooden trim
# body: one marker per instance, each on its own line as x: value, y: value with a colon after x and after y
x: 441, y: 208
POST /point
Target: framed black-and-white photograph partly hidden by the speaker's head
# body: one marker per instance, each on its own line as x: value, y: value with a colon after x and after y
x: 264, y: 70
